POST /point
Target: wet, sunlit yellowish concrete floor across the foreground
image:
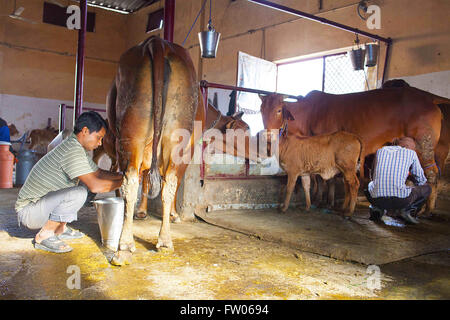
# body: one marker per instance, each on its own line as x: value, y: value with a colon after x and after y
x: 209, y: 262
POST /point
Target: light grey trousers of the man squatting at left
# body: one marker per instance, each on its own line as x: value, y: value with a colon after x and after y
x: 59, y: 206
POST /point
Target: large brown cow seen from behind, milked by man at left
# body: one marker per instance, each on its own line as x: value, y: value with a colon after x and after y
x: 155, y: 93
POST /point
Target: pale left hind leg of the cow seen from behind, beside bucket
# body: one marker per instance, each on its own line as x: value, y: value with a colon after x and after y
x: 130, y: 188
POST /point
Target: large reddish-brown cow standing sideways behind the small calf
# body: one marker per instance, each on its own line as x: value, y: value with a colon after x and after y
x: 377, y: 116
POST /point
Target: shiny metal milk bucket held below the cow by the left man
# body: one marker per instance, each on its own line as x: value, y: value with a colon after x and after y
x: 110, y: 212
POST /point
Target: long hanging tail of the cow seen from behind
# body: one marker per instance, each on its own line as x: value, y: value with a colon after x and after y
x: 159, y: 83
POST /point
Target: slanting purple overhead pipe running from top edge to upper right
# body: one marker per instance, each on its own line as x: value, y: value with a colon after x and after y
x: 319, y: 19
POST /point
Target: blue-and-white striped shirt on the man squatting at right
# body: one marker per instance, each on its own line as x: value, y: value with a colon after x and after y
x: 393, y: 164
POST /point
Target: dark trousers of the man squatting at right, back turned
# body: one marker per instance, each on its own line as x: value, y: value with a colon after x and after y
x: 418, y: 196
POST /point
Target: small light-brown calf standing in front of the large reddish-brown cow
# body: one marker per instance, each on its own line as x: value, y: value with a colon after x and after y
x: 325, y: 155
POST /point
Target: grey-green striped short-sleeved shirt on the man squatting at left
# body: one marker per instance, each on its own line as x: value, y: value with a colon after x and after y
x: 58, y: 169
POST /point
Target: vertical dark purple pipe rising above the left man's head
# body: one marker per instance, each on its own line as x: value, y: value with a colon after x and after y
x: 79, y: 79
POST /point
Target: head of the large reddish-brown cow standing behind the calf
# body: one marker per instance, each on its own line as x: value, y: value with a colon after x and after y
x: 271, y: 110
